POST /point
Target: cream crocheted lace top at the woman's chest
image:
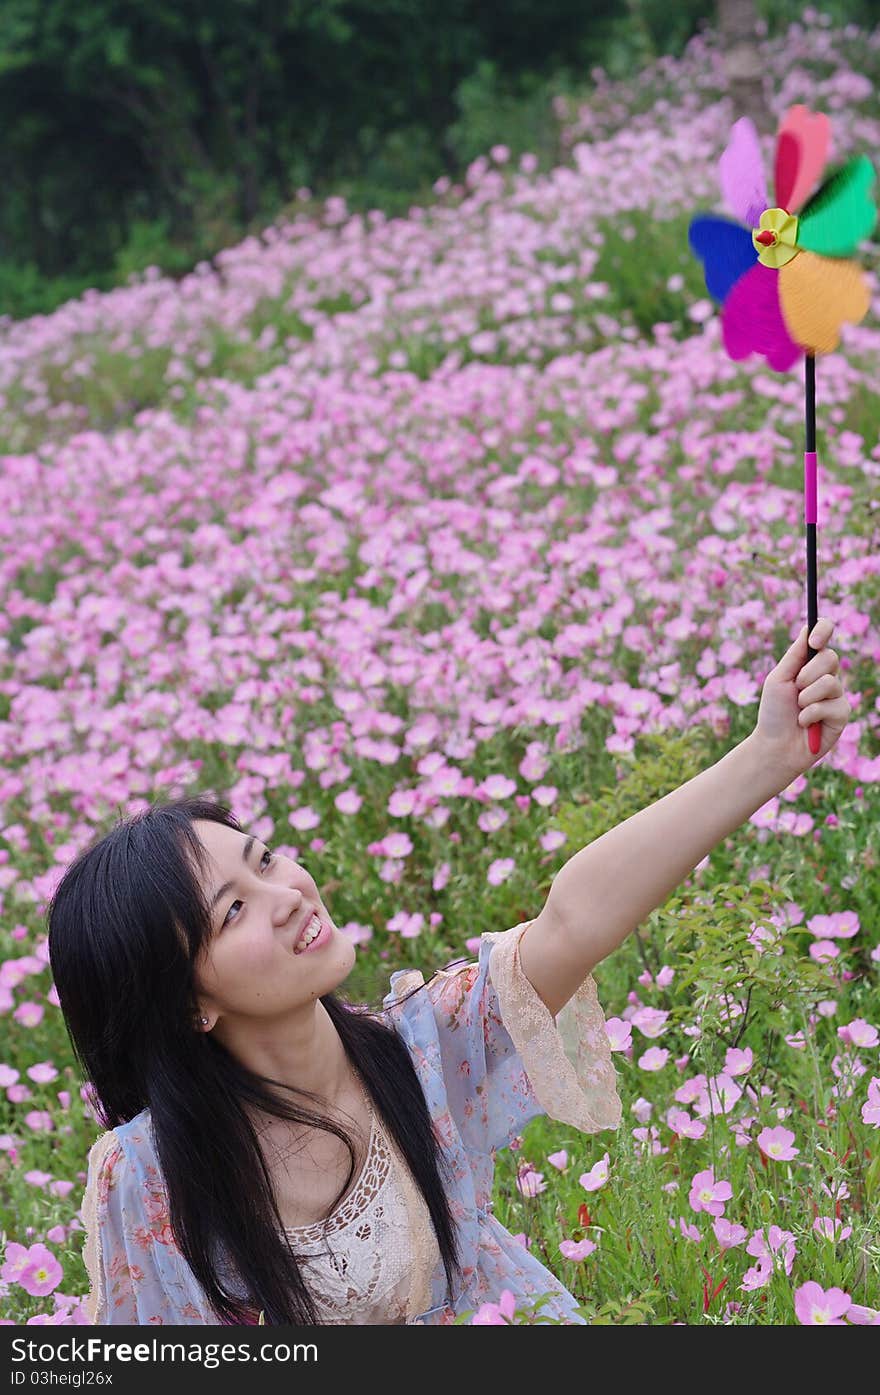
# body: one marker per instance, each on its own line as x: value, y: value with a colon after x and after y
x: 372, y: 1260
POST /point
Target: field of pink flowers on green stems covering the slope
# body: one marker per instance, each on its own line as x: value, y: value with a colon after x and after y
x: 436, y: 546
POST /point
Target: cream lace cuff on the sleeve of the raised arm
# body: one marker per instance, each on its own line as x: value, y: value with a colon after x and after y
x: 568, y: 1060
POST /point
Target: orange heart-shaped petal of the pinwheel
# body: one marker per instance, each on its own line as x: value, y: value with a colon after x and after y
x: 818, y: 295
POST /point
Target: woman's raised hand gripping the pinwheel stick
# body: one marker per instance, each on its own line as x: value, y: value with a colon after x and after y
x: 798, y: 694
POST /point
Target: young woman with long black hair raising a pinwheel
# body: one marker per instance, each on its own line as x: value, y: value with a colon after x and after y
x: 271, y: 1149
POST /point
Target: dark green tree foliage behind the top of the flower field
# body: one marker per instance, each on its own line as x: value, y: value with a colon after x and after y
x: 158, y: 135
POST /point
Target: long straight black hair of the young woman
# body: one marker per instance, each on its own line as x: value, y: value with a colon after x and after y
x: 126, y: 927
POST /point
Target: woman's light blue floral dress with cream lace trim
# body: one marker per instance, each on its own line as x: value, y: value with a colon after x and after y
x: 490, y: 1060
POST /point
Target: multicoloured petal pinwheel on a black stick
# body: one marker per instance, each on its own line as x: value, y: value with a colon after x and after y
x: 784, y: 282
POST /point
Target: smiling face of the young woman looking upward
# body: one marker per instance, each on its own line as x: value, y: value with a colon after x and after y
x: 260, y: 905
